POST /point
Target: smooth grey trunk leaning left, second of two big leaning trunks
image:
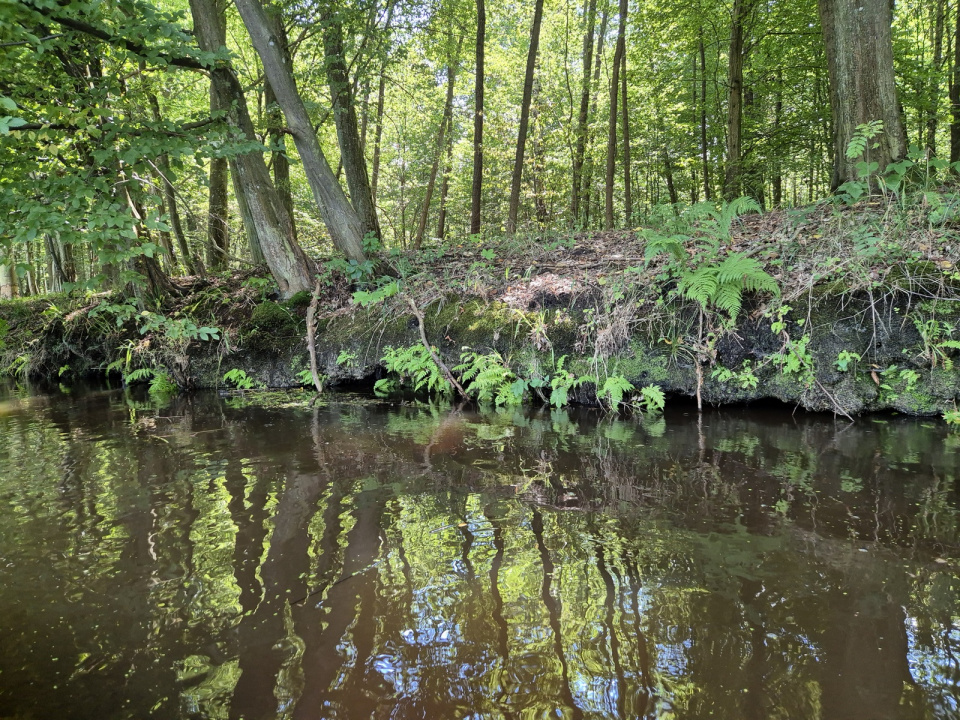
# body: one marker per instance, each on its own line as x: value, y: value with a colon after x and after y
x: 343, y: 224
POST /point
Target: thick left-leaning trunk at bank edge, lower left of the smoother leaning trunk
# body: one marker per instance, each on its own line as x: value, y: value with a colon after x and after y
x: 286, y: 260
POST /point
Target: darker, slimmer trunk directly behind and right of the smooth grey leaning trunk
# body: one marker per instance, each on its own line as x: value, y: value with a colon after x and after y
x: 345, y: 119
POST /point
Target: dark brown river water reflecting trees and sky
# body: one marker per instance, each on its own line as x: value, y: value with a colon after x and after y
x: 362, y: 561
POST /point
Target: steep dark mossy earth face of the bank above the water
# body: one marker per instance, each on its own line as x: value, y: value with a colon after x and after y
x: 822, y: 352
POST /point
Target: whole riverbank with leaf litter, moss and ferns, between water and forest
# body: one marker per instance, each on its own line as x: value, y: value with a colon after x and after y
x: 849, y: 309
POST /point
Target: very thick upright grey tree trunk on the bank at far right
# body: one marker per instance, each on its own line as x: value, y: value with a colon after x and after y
x: 859, y: 46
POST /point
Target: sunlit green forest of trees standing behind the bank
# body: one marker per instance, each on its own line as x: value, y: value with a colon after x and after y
x: 144, y: 140
